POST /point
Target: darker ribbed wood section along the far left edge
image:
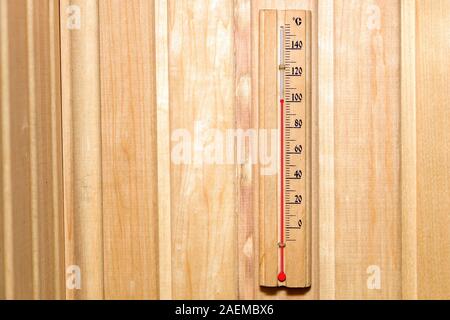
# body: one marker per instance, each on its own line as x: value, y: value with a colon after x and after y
x: 32, y: 249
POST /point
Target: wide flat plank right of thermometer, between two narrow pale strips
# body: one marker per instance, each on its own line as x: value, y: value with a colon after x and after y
x: 367, y: 176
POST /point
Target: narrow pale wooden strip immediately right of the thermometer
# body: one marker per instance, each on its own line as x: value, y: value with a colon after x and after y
x: 327, y: 264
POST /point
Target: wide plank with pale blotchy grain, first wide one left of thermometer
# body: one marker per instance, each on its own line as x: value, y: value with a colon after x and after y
x: 201, y: 77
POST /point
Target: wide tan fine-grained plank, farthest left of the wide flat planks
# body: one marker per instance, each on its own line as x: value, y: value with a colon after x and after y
x: 128, y: 87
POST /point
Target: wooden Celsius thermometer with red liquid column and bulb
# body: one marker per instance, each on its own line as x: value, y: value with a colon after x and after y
x: 285, y: 104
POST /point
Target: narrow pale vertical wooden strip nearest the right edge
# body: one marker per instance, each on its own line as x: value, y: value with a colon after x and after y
x: 409, y: 151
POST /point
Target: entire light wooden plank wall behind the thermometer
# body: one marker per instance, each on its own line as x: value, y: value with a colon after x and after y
x: 97, y: 136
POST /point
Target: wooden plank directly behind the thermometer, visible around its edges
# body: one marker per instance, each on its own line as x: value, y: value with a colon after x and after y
x: 274, y: 293
